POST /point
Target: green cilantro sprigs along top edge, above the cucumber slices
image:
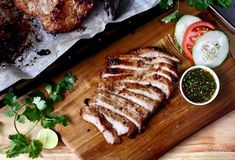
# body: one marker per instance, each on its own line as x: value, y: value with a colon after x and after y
x: 199, y: 4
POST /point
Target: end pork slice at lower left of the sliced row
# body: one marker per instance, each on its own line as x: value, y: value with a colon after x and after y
x: 92, y: 116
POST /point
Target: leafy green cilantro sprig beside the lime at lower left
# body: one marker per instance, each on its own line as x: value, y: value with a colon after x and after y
x: 38, y: 108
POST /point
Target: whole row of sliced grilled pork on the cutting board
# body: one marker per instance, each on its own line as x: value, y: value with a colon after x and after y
x: 131, y: 89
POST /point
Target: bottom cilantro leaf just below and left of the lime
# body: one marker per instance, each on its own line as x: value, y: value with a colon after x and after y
x: 35, y: 148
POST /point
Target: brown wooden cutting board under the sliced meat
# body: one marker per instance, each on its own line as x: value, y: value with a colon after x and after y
x: 176, y: 120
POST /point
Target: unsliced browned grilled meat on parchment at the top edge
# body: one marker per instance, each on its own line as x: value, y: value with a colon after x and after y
x: 57, y: 15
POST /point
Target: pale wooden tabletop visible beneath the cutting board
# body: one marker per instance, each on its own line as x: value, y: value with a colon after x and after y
x: 214, y: 142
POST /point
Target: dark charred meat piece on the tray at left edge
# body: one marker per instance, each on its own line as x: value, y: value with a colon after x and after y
x: 14, y: 31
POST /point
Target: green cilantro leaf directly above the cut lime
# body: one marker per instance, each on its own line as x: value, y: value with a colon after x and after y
x: 51, y: 120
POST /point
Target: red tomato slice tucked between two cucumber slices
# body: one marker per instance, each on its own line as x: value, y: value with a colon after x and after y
x: 192, y: 33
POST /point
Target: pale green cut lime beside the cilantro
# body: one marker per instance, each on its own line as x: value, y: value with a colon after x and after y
x: 48, y: 138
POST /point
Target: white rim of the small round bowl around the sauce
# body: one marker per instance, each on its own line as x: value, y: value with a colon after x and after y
x: 216, y: 80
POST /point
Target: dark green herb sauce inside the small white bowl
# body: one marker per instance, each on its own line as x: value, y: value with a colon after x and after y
x: 199, y: 85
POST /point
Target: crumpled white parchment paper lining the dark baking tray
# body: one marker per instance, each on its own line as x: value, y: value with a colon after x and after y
x: 32, y: 64
